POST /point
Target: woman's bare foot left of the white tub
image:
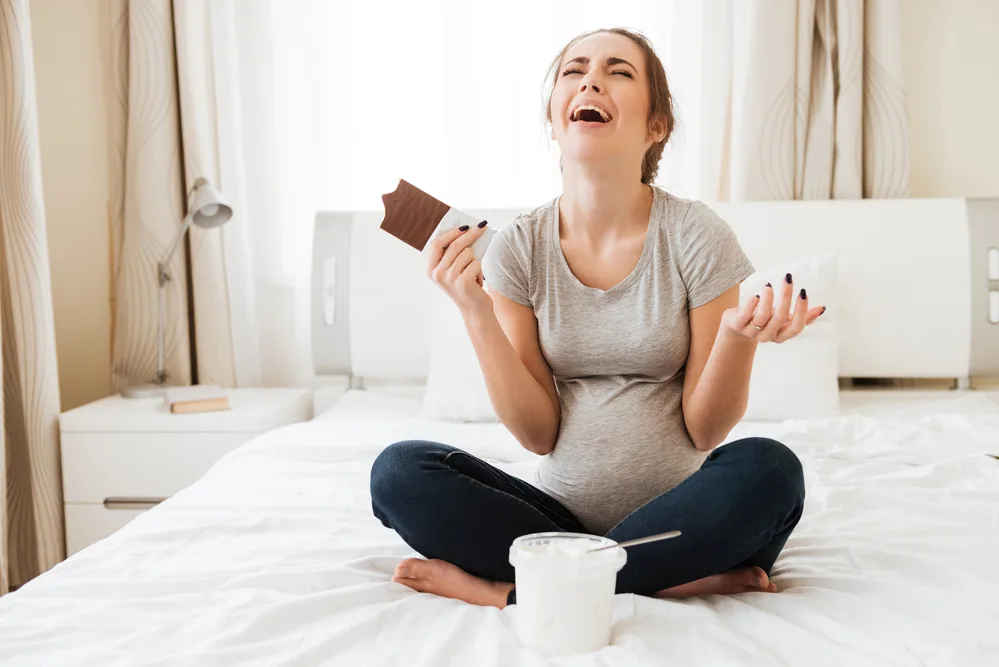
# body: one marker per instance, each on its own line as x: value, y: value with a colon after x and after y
x: 450, y: 581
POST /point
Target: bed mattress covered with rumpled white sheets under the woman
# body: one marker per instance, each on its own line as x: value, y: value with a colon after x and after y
x: 274, y: 558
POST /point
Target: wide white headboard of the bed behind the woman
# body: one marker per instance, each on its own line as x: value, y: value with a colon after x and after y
x: 913, y: 294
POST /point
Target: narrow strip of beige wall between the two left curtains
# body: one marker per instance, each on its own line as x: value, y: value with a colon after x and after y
x: 70, y: 43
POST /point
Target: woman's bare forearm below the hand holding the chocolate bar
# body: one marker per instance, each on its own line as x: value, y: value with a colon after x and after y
x: 527, y: 410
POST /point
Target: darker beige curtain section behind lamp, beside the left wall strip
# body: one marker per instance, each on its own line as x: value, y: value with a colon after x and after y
x: 147, y: 193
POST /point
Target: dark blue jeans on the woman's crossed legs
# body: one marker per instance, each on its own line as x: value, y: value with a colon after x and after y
x: 737, y: 510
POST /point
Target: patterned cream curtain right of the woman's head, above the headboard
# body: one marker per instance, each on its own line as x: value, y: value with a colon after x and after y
x: 804, y: 100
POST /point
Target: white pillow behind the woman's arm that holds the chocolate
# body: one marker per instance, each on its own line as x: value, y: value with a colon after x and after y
x: 456, y: 388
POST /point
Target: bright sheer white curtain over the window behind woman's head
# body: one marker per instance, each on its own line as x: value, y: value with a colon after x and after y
x: 330, y: 103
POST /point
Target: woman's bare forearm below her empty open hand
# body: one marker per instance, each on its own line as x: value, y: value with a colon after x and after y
x: 718, y: 400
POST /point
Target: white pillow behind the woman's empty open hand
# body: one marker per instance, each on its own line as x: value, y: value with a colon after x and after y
x: 798, y: 379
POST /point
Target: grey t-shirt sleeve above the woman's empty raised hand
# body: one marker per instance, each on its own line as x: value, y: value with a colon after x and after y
x: 711, y: 259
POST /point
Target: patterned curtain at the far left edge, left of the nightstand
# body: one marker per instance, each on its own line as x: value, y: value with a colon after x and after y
x: 30, y: 480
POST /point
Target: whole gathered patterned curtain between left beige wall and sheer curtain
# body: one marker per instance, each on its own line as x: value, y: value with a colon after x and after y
x: 164, y: 129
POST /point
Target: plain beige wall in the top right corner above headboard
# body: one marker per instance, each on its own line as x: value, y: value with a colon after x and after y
x: 951, y: 69
